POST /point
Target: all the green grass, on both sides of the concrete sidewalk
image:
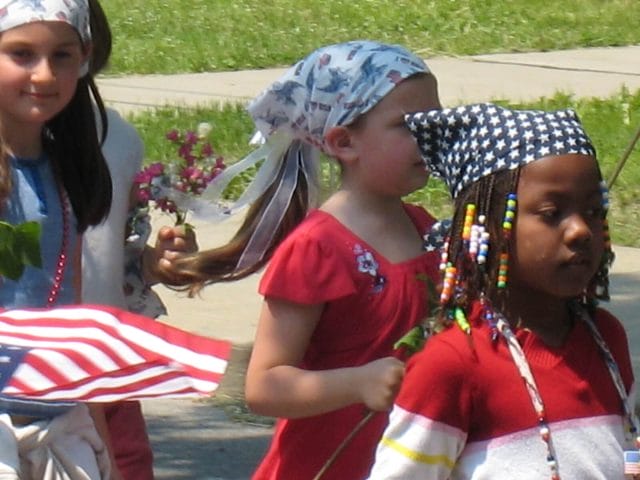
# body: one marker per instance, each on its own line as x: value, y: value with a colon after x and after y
x: 168, y: 36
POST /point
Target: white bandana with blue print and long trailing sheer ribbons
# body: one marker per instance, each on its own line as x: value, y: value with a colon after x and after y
x: 332, y: 86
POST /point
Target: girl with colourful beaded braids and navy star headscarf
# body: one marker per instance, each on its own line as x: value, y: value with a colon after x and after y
x: 528, y: 378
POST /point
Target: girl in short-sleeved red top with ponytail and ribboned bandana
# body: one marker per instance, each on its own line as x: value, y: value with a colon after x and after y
x: 349, y: 280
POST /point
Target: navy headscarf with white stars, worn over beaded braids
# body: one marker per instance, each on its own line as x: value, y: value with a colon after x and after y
x: 463, y: 144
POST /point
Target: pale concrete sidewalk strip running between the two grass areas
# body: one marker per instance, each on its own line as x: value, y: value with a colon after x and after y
x: 595, y: 72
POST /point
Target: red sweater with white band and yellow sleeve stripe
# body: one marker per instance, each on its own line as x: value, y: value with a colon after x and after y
x: 465, y: 413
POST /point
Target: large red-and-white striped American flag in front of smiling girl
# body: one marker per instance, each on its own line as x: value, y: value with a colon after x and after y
x: 103, y: 354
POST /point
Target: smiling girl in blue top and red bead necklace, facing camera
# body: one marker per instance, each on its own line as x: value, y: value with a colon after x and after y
x: 52, y: 172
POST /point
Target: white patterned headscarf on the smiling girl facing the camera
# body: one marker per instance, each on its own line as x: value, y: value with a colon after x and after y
x: 14, y: 13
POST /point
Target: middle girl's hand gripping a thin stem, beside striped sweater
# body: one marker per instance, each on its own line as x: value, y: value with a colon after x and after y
x: 379, y: 382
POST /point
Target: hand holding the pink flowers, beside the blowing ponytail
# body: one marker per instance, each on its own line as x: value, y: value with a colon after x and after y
x: 172, y: 244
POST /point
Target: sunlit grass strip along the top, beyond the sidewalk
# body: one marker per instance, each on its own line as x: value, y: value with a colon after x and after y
x: 168, y: 36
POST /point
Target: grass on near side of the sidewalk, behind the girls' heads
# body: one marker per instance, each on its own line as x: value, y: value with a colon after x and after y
x: 611, y: 123
